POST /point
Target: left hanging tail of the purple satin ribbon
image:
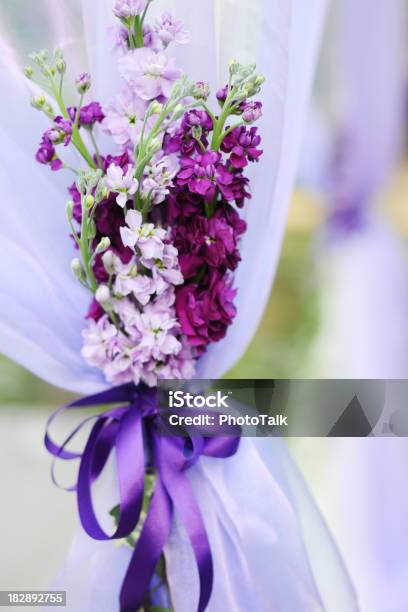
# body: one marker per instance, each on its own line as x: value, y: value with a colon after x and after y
x: 149, y: 548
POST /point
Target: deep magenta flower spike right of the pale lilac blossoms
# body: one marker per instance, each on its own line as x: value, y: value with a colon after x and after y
x: 206, y: 225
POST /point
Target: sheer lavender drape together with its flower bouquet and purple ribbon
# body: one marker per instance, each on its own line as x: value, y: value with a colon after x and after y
x: 155, y: 231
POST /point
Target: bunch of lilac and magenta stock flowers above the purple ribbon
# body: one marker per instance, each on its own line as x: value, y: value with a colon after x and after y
x: 156, y: 224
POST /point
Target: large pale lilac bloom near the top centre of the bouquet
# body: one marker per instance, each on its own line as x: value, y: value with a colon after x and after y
x: 150, y: 74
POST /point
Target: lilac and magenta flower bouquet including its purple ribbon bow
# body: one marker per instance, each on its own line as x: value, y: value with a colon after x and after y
x: 156, y: 228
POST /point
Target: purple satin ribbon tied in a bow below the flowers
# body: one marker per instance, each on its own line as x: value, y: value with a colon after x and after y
x: 130, y: 428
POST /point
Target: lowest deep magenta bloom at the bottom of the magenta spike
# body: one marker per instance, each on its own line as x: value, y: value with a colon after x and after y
x: 206, y: 313
